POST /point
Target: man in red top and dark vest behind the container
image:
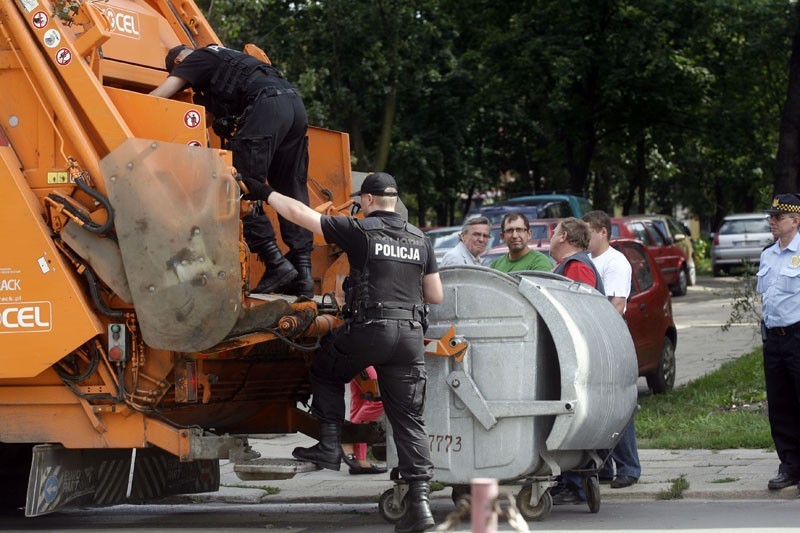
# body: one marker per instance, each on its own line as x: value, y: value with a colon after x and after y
x: 568, y: 246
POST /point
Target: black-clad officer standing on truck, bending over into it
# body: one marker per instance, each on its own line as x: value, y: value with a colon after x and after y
x: 266, y: 123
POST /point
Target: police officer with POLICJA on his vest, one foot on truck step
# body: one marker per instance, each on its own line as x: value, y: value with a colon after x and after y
x: 393, y: 273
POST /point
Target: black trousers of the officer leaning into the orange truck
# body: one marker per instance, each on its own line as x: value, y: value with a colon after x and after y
x: 270, y: 144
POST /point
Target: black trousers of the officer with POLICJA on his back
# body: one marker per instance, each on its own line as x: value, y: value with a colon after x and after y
x: 395, y: 348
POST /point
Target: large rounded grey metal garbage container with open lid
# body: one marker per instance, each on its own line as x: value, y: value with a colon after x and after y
x: 549, y: 377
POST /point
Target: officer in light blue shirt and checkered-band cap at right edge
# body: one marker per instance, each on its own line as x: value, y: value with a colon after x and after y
x: 779, y: 286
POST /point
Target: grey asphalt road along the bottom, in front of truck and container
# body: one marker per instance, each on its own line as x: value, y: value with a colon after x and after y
x: 674, y: 516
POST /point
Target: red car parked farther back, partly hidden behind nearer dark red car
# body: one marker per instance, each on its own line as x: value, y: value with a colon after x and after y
x: 669, y: 258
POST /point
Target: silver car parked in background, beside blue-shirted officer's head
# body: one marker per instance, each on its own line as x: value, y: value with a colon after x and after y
x: 739, y: 240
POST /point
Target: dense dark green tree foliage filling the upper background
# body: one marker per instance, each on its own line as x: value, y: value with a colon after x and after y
x: 641, y: 104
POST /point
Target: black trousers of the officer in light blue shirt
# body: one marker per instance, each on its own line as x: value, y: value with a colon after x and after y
x: 782, y: 375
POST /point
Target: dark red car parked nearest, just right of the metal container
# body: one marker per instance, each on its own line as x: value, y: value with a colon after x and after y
x: 649, y: 317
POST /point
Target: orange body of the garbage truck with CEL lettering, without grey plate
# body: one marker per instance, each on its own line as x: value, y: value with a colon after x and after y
x: 71, y: 95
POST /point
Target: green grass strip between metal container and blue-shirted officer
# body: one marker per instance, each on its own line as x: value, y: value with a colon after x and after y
x: 723, y: 409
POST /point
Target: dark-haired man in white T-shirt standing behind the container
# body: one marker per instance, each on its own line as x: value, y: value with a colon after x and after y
x: 615, y: 270
